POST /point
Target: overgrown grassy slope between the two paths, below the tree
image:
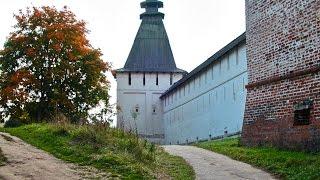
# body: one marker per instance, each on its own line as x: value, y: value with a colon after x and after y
x: 104, y: 148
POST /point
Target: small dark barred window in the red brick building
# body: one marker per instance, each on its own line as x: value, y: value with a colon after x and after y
x: 302, y: 113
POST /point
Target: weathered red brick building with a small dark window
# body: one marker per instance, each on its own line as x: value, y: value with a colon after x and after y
x: 283, y: 50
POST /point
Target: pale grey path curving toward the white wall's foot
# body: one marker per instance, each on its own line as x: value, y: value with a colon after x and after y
x: 210, y: 165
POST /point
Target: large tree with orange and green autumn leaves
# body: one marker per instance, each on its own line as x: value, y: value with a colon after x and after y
x: 48, y: 67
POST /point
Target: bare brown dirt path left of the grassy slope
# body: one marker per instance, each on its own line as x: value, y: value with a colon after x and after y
x: 27, y: 162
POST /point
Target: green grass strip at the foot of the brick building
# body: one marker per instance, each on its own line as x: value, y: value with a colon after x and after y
x: 282, y: 163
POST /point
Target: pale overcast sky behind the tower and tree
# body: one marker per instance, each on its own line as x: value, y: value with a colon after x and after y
x: 196, y: 28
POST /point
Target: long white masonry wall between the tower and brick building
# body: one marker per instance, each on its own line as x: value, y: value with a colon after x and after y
x: 210, y: 105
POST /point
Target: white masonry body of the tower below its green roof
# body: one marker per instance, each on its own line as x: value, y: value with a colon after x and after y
x: 143, y: 102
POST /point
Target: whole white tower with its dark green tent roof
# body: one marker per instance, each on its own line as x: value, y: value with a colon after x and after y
x: 149, y: 71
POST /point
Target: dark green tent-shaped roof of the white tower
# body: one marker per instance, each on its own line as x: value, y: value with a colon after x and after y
x: 151, y: 51
